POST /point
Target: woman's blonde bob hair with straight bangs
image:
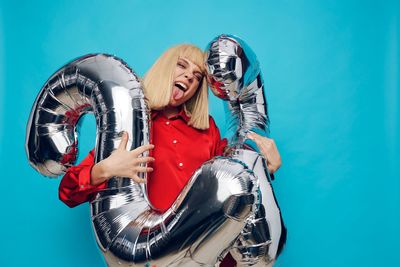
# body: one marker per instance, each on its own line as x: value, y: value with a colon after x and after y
x: 158, y: 84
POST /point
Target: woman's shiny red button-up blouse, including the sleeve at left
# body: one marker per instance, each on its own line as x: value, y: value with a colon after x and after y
x: 179, y: 150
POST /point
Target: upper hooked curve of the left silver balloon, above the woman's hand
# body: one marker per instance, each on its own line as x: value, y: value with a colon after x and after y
x: 99, y: 84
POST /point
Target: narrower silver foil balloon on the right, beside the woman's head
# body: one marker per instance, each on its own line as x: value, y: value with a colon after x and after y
x: 234, y: 75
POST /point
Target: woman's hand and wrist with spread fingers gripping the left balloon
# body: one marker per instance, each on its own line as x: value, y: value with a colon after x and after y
x: 122, y: 163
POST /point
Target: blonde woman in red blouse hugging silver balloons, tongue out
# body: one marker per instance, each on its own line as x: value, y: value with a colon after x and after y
x: 183, y: 136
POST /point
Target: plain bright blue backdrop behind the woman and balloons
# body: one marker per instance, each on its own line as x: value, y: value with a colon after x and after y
x: 332, y: 80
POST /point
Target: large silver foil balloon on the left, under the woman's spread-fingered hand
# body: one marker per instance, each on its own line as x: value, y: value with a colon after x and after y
x: 207, y: 216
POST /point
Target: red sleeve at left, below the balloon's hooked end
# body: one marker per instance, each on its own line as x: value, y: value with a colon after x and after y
x: 75, y: 187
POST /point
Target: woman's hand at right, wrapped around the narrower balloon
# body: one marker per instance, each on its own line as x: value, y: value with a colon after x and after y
x: 268, y: 149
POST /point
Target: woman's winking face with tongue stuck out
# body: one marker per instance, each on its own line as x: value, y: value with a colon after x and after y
x: 187, y: 78
